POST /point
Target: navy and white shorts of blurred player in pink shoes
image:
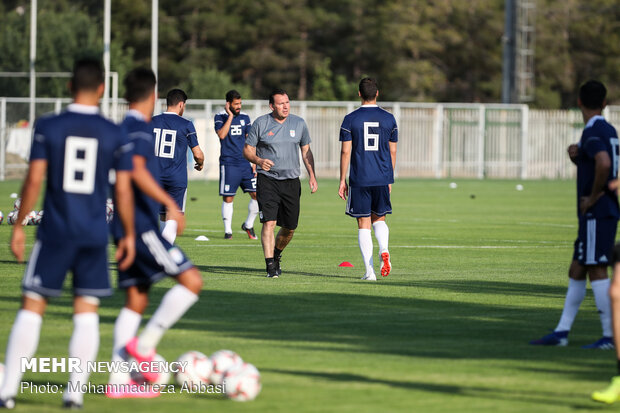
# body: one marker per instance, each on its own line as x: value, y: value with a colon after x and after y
x: 155, y: 259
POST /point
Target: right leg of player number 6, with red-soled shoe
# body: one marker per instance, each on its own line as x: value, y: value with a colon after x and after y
x: 380, y: 207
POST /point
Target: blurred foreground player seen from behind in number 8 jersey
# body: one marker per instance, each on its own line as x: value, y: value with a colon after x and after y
x: 75, y: 150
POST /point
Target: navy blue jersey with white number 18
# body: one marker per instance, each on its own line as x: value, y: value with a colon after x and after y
x: 173, y: 134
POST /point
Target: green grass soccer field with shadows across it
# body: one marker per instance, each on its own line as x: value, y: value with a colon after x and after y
x: 478, y: 272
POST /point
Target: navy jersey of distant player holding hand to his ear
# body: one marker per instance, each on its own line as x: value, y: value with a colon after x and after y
x: 231, y: 151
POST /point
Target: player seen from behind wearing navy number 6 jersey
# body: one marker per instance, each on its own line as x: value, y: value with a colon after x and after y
x: 369, y: 136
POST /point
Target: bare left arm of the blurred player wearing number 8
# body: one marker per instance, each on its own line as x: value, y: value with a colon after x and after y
x: 29, y: 195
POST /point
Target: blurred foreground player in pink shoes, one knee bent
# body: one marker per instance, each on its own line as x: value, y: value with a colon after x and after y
x: 155, y: 256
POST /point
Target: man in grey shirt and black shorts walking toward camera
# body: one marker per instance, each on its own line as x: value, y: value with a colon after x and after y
x: 273, y: 145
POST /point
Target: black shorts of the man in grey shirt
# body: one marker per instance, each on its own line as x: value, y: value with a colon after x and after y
x: 278, y: 200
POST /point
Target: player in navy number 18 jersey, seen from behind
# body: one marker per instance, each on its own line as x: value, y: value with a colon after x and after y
x: 173, y: 135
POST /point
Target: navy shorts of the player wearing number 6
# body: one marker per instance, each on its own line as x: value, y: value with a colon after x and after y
x: 367, y: 200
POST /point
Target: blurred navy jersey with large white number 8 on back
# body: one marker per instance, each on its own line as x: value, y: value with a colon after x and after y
x: 80, y: 147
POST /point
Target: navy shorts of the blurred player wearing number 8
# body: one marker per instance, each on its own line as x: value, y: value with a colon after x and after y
x: 49, y: 263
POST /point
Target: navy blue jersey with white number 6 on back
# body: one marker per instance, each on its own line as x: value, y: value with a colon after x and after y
x: 371, y: 129
